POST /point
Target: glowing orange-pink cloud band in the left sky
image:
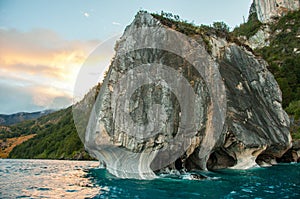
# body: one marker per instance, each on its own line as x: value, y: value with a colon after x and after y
x: 42, y: 52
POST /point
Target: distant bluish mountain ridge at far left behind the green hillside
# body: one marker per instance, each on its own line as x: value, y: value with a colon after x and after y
x: 22, y: 116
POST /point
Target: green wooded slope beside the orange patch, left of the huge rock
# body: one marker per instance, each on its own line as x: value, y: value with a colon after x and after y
x: 56, y: 139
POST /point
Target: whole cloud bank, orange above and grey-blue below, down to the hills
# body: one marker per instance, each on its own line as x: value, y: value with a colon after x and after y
x: 38, y: 69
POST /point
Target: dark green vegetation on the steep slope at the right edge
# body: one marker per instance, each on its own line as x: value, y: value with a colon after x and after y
x: 283, y: 56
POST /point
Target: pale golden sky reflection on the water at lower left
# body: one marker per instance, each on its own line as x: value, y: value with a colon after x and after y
x: 46, y: 179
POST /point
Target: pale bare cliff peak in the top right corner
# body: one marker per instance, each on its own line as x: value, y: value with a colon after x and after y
x: 267, y: 10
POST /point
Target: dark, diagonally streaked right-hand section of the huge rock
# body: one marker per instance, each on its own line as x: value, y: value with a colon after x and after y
x: 255, y: 123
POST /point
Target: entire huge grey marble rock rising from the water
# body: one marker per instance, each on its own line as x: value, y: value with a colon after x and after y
x: 167, y: 103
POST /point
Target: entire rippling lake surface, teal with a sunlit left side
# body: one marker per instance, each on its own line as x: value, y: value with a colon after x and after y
x: 83, y: 179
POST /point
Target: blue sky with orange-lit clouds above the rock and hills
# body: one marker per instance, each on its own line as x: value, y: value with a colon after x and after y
x: 44, y: 43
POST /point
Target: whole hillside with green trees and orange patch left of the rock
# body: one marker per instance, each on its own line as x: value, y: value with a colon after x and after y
x: 54, y: 136
